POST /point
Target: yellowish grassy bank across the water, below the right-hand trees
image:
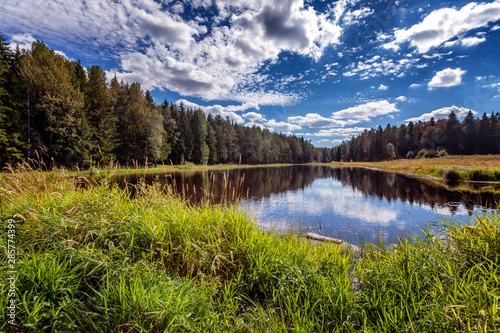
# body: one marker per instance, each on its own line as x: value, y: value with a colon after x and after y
x: 484, y: 168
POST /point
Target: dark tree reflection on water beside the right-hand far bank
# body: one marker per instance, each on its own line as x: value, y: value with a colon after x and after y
x: 394, y: 186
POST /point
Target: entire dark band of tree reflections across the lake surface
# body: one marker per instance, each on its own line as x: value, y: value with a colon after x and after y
x: 215, y: 186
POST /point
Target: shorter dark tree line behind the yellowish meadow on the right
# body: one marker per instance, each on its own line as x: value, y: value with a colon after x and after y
x: 425, y: 139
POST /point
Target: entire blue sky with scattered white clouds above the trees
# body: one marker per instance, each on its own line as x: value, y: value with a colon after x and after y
x: 324, y: 70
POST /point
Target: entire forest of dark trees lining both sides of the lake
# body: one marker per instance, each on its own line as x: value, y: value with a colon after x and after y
x: 54, y: 109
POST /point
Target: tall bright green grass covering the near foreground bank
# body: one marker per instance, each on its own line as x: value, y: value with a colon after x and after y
x: 94, y: 259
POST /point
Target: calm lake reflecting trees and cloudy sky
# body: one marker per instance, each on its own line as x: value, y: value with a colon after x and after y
x: 353, y: 204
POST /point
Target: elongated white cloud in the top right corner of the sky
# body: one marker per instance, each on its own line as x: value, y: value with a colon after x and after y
x: 445, y: 24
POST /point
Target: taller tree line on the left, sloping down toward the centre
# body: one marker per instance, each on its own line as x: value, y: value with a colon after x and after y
x: 69, y: 115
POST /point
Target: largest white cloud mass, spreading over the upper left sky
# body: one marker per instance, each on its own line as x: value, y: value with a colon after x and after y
x: 157, y: 47
